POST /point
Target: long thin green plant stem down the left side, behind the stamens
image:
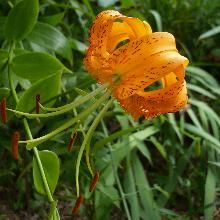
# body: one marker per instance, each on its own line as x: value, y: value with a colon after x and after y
x: 36, y: 154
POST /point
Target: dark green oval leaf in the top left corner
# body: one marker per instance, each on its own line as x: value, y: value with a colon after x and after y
x: 21, y: 20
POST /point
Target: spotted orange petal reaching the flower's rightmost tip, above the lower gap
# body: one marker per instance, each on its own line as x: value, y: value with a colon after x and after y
x: 157, y: 67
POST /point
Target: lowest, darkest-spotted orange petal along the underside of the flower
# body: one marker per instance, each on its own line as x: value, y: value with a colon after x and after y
x: 139, y: 105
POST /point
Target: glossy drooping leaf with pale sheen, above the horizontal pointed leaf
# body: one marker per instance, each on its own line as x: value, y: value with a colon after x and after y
x: 51, y: 38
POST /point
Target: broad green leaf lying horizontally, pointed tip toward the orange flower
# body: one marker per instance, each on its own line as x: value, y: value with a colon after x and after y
x: 35, y: 66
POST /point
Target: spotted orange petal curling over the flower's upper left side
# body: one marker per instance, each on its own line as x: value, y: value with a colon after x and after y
x: 108, y: 30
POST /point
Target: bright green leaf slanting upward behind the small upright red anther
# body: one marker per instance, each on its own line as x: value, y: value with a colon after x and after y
x: 47, y: 88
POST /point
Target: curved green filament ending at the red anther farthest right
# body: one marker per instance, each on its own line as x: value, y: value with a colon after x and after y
x: 93, y: 127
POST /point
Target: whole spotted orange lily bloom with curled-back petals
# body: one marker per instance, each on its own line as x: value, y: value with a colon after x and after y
x: 131, y: 69
